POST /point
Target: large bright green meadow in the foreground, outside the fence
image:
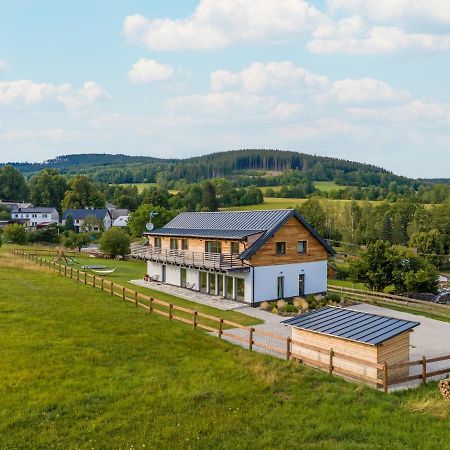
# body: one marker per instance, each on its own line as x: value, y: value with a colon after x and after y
x: 81, y: 369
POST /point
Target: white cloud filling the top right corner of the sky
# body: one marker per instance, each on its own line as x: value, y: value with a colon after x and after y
x: 394, y: 10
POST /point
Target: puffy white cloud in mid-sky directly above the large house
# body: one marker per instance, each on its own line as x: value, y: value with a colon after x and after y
x: 274, y: 75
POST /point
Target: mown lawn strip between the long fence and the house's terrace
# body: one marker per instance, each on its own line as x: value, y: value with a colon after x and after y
x: 135, y: 270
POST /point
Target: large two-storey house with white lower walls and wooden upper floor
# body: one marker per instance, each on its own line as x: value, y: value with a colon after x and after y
x: 249, y: 256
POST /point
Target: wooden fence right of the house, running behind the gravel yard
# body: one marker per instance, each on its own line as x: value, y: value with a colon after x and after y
x: 380, y: 297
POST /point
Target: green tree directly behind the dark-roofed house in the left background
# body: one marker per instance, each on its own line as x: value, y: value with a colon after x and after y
x: 83, y: 193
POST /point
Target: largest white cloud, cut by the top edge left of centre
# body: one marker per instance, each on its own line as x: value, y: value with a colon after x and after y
x: 217, y: 24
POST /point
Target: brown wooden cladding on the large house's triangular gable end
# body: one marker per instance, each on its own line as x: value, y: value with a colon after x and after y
x: 290, y: 234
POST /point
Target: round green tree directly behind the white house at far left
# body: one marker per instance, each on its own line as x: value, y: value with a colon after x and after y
x: 47, y: 188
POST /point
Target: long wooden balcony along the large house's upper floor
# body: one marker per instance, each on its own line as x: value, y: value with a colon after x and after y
x: 201, y: 260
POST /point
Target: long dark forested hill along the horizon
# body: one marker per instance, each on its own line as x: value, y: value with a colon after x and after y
x: 261, y: 167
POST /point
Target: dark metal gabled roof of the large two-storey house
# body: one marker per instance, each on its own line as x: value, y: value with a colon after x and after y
x: 242, y: 223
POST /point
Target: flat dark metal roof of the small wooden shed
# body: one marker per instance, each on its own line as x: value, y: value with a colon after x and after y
x: 350, y: 324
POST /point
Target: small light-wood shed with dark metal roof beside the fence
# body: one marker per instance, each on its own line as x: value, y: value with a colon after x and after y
x: 351, y: 337
